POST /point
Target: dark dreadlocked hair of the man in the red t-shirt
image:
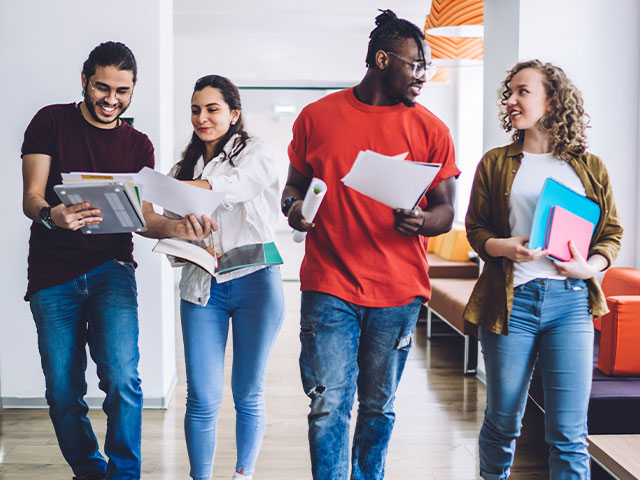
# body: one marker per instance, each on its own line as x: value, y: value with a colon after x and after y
x: 390, y: 31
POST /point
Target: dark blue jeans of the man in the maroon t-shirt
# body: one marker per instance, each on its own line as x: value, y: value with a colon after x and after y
x: 99, y: 308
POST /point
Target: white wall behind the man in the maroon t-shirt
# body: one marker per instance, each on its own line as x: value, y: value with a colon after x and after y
x: 43, y: 47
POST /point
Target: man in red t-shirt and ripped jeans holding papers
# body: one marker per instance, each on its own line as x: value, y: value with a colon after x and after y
x: 364, y: 273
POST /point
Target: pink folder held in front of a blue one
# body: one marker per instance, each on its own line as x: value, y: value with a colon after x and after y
x: 563, y: 226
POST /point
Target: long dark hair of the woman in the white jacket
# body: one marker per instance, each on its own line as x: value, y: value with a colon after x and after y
x: 196, y: 147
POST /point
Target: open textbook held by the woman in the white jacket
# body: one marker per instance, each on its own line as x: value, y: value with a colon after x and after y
x: 254, y: 254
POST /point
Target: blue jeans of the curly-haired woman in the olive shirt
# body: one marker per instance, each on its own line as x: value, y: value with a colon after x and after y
x: 550, y: 320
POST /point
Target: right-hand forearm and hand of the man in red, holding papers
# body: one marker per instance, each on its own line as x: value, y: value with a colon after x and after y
x: 436, y: 219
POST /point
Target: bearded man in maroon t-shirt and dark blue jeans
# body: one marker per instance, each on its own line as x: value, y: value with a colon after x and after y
x: 82, y: 288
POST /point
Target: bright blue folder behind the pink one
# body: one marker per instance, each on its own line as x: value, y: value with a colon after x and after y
x: 555, y: 193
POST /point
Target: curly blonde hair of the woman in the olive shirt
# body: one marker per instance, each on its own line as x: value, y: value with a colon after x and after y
x: 565, y: 123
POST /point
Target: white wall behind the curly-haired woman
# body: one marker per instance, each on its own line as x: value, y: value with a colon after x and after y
x: 599, y: 48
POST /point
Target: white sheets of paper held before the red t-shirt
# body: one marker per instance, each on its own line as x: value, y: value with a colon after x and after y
x: 393, y: 181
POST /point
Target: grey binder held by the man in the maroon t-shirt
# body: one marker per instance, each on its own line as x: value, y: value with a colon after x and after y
x: 118, y: 202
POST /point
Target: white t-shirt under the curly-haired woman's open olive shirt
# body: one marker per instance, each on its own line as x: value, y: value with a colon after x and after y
x: 525, y: 191
